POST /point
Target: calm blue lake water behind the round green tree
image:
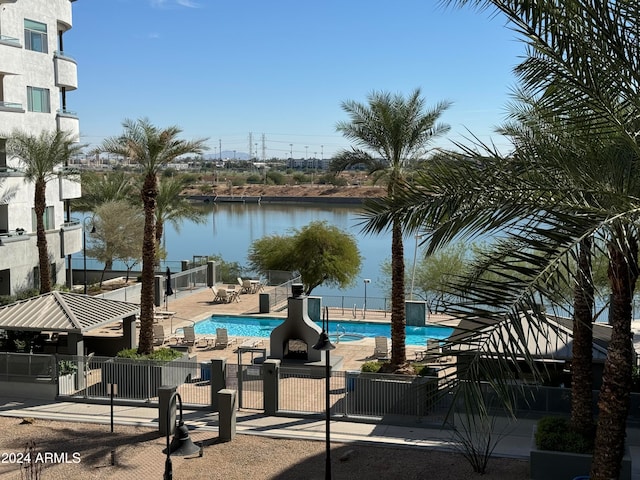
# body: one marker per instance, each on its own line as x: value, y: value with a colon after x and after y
x: 230, y: 228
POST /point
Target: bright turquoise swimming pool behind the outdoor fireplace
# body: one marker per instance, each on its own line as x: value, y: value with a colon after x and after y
x: 262, y: 326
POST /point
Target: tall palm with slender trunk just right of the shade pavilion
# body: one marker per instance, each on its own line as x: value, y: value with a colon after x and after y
x: 152, y: 148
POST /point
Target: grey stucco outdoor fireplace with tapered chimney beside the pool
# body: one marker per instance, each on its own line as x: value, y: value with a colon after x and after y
x: 295, y: 337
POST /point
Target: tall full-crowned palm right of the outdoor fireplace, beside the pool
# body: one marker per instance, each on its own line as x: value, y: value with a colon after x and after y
x: 391, y: 133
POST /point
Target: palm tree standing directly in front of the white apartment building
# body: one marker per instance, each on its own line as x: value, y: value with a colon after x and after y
x: 40, y: 155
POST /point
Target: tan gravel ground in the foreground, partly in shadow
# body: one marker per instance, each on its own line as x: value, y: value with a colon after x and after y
x: 138, y: 455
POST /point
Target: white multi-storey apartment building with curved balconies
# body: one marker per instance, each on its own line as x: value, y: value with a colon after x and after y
x: 36, y: 74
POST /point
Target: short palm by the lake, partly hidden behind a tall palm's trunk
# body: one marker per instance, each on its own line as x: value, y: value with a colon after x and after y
x: 172, y: 207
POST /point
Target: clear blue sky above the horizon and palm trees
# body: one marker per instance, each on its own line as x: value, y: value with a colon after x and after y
x: 282, y: 68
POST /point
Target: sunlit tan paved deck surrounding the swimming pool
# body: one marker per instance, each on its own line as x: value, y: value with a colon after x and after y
x: 199, y: 305
